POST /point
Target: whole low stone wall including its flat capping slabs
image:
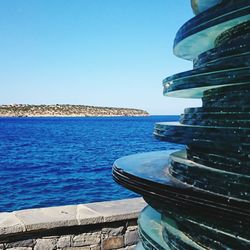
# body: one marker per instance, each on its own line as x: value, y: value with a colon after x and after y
x: 94, y: 226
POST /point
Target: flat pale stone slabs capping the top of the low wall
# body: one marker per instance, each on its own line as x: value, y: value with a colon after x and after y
x: 66, y: 216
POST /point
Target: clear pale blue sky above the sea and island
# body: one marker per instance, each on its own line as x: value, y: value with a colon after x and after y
x: 92, y: 52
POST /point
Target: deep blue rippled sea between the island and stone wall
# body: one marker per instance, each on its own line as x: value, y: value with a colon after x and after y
x: 61, y: 161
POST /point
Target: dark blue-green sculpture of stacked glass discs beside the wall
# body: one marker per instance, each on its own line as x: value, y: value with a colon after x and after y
x: 199, y: 198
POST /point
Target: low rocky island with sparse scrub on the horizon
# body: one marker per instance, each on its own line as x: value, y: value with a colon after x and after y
x: 65, y: 110
